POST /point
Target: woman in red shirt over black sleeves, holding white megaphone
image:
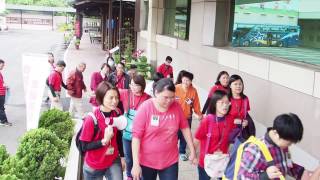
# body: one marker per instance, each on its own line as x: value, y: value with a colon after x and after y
x: 103, y: 151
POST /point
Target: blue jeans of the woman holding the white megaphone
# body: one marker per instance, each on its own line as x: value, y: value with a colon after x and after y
x: 114, y: 172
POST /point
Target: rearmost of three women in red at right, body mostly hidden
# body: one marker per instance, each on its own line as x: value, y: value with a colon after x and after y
x: 220, y: 84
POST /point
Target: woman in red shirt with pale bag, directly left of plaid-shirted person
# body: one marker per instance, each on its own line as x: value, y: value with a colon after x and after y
x: 217, y: 119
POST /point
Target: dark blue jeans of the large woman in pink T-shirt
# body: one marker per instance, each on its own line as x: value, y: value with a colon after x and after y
x: 169, y: 173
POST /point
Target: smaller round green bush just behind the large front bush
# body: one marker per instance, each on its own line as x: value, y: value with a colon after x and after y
x: 58, y: 122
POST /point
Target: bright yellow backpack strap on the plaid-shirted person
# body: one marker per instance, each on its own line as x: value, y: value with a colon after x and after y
x: 262, y: 146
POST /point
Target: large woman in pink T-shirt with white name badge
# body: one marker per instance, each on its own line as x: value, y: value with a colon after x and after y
x: 154, y: 135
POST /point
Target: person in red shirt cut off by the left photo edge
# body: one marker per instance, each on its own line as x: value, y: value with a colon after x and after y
x: 3, y: 88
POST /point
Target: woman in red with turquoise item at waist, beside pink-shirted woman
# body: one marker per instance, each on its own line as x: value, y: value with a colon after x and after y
x: 131, y: 98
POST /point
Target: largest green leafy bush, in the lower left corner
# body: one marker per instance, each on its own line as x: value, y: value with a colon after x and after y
x: 38, y: 156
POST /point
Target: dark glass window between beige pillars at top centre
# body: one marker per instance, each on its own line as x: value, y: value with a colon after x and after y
x: 177, y: 18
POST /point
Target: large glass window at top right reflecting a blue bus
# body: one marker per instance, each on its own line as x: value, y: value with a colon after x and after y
x: 288, y: 29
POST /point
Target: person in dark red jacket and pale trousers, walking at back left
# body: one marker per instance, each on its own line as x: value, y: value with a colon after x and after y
x: 75, y: 86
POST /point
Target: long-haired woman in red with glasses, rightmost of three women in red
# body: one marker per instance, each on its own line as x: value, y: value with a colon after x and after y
x: 239, y: 106
